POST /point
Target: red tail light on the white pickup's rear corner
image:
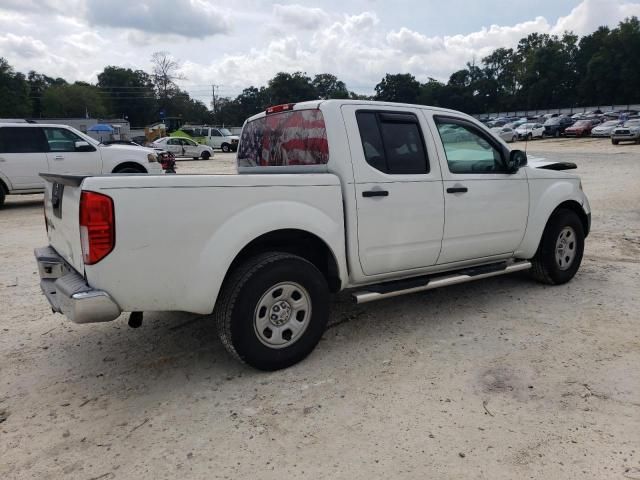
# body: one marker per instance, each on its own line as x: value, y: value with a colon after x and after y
x: 97, y: 226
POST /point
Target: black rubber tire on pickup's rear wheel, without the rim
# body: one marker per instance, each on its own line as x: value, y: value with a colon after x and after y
x: 236, y: 313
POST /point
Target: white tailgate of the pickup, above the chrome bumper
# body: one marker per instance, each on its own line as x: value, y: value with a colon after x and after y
x: 62, y: 215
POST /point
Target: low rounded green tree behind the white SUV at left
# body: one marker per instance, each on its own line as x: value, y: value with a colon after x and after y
x: 73, y: 100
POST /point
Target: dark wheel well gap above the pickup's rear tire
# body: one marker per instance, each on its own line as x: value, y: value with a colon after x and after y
x: 297, y: 242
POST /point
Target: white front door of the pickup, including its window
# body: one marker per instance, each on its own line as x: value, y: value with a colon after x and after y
x: 486, y: 208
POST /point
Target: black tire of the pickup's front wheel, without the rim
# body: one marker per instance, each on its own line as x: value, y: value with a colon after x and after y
x: 545, y: 266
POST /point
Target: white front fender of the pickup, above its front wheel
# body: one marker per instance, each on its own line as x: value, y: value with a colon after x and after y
x: 545, y: 194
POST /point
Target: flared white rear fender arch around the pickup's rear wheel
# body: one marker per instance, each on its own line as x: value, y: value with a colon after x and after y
x: 247, y: 225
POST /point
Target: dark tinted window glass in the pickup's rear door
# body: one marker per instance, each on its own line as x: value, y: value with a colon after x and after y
x: 392, y: 142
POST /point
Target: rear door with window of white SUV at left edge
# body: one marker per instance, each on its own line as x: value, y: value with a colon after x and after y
x: 23, y: 156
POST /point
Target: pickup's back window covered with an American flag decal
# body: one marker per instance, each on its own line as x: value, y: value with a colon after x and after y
x: 289, y: 138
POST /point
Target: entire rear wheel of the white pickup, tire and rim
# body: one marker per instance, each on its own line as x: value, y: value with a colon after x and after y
x: 272, y: 310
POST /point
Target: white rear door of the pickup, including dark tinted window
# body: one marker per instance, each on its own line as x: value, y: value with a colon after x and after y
x: 398, y: 187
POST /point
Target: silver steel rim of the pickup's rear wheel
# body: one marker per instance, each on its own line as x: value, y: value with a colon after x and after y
x: 282, y: 315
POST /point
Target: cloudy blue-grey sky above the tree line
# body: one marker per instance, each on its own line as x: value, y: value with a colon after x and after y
x: 238, y: 43
